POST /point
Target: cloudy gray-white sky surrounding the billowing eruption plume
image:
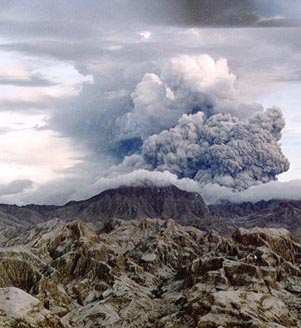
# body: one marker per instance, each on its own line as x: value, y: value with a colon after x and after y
x: 68, y: 69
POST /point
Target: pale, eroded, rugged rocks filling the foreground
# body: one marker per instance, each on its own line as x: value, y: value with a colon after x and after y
x: 149, y: 273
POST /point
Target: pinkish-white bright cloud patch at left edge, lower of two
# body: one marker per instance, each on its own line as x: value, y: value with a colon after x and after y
x: 37, y: 155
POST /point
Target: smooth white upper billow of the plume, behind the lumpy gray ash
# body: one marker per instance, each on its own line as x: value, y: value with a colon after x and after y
x: 185, y: 84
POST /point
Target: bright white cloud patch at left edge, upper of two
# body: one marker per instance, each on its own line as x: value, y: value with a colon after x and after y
x: 63, y: 79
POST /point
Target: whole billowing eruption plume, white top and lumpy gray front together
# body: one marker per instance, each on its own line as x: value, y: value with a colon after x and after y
x: 217, y: 139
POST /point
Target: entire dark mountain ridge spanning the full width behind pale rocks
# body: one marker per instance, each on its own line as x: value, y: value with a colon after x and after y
x: 135, y: 202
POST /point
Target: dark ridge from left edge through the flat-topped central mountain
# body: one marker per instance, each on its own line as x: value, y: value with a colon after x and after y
x: 126, y: 203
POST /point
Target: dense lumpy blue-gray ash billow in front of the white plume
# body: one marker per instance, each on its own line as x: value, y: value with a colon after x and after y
x: 222, y: 149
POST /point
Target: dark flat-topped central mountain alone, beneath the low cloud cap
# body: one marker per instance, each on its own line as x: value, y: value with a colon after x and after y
x: 129, y: 203
